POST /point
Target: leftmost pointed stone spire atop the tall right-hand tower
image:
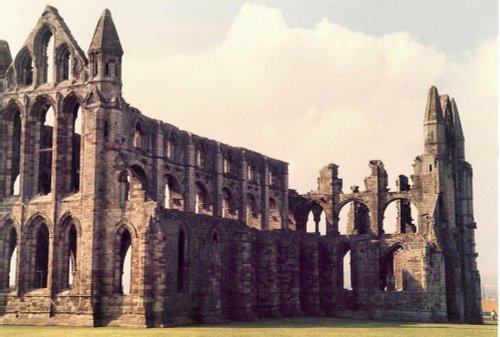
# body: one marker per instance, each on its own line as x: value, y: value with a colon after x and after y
x: 434, y: 124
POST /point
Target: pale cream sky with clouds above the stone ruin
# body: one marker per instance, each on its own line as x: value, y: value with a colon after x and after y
x: 310, y: 82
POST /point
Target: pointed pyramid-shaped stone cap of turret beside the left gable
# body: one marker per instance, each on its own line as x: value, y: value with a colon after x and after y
x: 105, y: 36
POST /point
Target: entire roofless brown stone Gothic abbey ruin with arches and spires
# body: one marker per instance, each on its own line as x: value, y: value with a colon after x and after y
x: 108, y: 217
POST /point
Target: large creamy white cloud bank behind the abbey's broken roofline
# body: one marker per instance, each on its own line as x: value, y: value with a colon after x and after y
x: 327, y: 94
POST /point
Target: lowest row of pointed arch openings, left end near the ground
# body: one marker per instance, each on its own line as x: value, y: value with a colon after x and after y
x: 26, y: 262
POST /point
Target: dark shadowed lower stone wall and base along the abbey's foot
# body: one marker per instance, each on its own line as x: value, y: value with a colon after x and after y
x: 233, y: 272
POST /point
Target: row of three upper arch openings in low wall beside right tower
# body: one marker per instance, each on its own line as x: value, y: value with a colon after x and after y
x: 356, y: 218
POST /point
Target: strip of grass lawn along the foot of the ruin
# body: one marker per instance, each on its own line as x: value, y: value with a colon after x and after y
x: 275, y: 328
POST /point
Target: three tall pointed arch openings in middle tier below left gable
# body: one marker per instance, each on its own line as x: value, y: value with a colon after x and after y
x: 41, y: 130
